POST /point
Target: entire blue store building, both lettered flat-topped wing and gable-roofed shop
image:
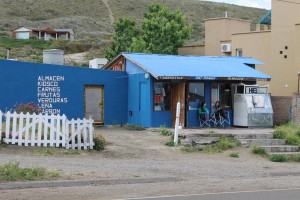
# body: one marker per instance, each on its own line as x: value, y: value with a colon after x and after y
x: 141, y: 89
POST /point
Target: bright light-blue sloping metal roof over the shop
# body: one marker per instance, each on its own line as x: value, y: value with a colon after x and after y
x: 197, y: 67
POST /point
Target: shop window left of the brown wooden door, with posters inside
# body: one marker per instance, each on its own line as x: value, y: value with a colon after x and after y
x: 161, y: 96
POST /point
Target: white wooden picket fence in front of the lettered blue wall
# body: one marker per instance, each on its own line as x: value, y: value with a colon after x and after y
x: 46, y: 130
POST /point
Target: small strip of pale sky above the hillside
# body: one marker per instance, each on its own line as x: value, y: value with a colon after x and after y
x: 266, y: 4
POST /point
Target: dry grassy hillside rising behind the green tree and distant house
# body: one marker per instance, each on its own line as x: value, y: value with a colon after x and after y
x: 92, y: 22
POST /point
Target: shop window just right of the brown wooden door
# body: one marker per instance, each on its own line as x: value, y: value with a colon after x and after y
x: 196, y: 95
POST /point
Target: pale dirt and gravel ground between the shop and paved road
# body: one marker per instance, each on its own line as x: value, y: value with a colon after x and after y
x: 138, y: 164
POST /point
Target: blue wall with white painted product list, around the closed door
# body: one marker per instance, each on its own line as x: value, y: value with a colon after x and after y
x: 20, y: 82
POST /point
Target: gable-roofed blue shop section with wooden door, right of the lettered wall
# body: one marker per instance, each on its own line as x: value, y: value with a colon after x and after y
x: 157, y: 82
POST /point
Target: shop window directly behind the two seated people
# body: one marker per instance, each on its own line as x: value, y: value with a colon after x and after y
x: 221, y: 92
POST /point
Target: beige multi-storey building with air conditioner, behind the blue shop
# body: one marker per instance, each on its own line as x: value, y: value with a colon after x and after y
x: 276, y: 42
